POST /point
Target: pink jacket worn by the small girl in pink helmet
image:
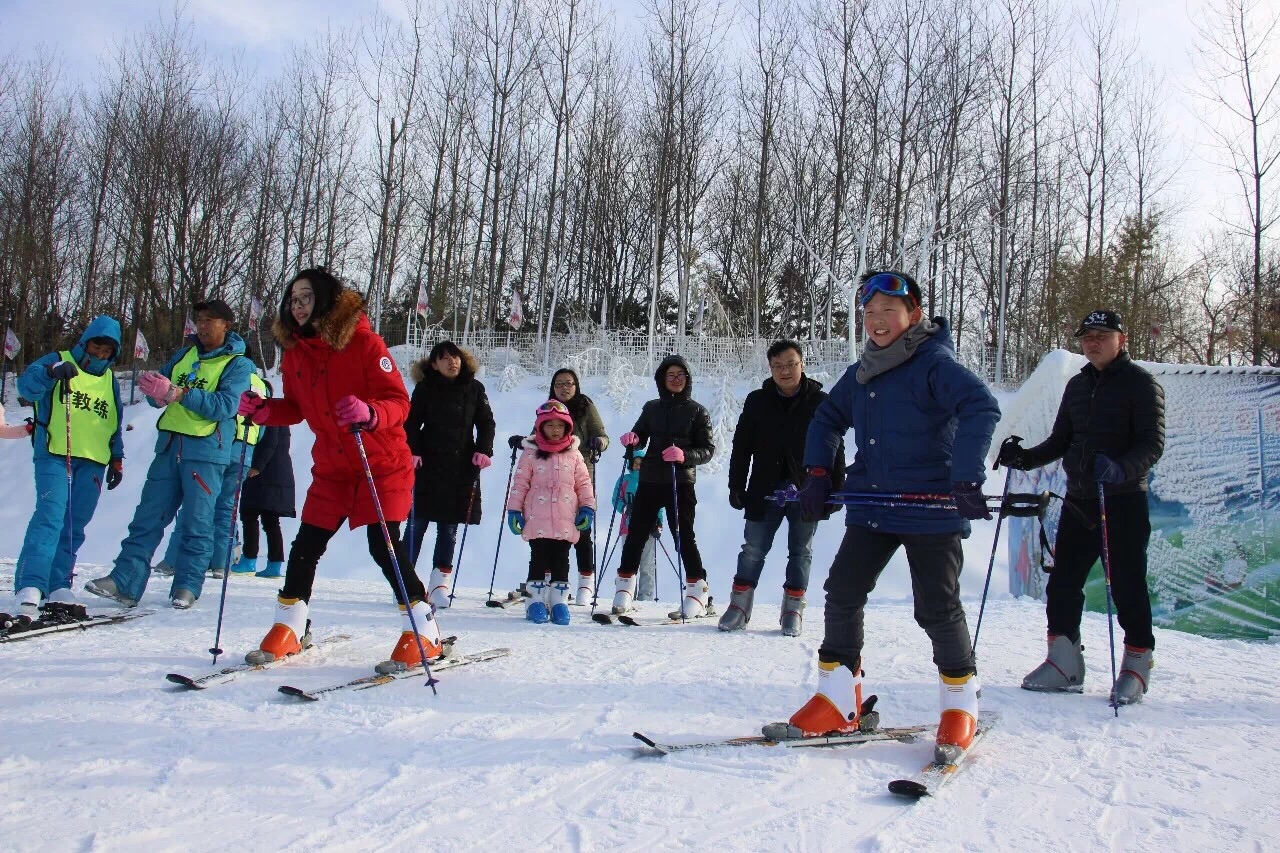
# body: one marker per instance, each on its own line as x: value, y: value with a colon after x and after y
x: 550, y: 492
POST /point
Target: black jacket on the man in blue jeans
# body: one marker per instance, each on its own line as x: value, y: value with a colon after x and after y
x: 769, y: 443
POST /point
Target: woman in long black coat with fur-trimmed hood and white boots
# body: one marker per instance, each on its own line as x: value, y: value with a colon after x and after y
x: 450, y: 434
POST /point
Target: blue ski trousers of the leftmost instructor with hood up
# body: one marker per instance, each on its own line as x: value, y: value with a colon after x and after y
x: 56, y: 533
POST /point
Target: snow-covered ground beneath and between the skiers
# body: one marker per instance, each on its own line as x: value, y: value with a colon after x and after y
x: 536, y: 751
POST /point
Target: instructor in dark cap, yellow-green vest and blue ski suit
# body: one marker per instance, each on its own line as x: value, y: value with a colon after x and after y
x: 199, y: 387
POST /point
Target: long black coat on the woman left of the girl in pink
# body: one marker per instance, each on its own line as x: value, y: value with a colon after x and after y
x: 450, y: 421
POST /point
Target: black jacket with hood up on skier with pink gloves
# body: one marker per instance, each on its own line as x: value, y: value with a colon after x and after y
x: 674, y: 421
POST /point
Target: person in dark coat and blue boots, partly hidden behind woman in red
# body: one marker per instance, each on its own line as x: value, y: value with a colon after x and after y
x: 267, y: 496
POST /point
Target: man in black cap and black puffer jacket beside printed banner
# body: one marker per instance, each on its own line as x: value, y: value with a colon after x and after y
x: 1110, y: 431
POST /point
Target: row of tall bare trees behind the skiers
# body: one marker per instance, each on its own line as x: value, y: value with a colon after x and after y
x: 725, y: 167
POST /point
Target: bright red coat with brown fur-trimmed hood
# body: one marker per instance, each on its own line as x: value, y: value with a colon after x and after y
x: 345, y: 357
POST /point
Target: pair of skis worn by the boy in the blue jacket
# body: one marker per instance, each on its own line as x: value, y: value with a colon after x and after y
x: 926, y: 783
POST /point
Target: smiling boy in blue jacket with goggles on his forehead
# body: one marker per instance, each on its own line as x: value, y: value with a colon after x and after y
x: 924, y: 425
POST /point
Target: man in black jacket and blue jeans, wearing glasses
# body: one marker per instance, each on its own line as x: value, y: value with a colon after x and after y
x: 769, y: 444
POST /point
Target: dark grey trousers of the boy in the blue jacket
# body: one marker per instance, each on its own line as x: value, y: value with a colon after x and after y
x: 935, y: 560
